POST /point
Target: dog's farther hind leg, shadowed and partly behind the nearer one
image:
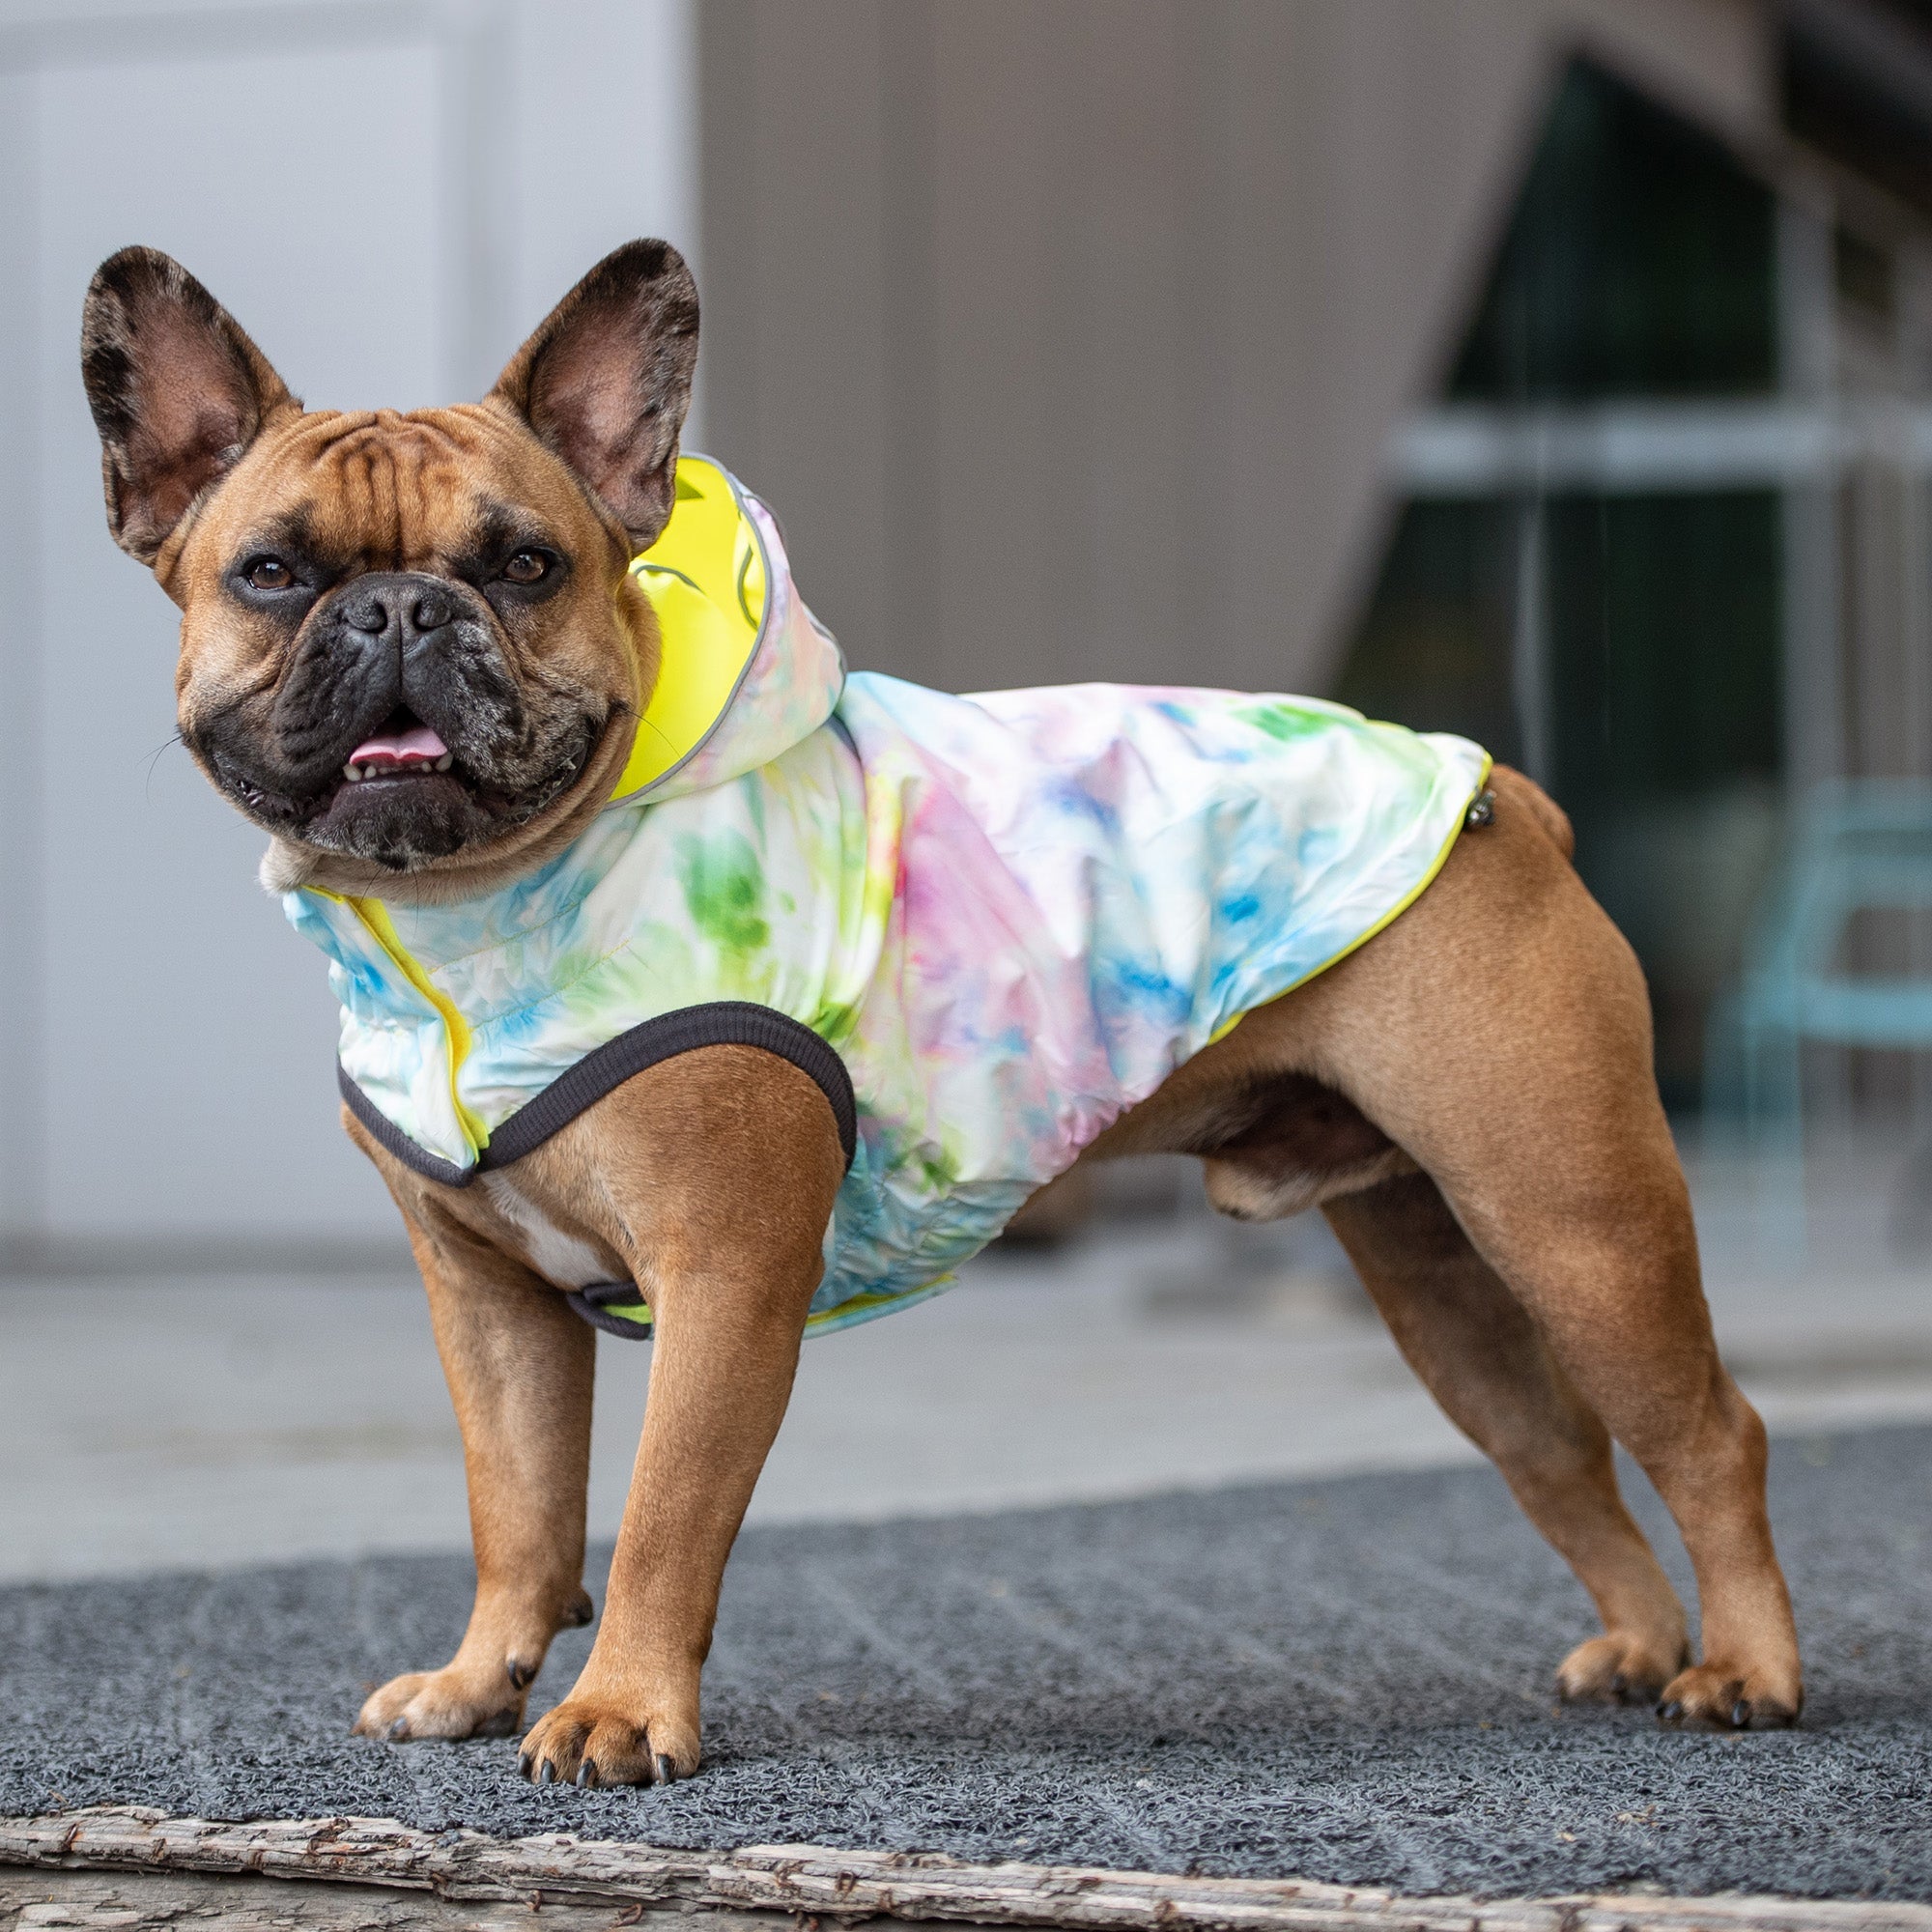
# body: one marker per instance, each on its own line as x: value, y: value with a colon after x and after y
x: 1491, y: 1369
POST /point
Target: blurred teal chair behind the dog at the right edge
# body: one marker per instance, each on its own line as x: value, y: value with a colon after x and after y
x: 1860, y: 845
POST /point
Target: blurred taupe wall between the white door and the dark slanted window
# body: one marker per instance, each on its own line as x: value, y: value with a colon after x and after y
x: 1065, y: 335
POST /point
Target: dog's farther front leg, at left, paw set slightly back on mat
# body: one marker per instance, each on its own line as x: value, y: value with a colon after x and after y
x: 521, y: 1369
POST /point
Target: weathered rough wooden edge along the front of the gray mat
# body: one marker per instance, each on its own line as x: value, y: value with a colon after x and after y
x: 861, y: 1885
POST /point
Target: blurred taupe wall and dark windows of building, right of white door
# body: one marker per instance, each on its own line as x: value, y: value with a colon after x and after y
x: 1543, y: 370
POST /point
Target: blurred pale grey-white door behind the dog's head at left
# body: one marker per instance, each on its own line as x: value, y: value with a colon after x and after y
x: 387, y: 198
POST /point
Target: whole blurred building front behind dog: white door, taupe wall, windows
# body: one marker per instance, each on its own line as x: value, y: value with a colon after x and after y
x: 1548, y: 370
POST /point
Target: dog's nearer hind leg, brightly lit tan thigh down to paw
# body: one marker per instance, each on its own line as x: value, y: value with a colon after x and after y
x: 1500, y: 1035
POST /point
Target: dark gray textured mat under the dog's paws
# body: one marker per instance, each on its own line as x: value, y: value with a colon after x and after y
x: 1336, y: 1680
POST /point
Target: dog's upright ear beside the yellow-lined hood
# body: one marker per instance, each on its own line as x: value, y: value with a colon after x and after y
x: 608, y: 378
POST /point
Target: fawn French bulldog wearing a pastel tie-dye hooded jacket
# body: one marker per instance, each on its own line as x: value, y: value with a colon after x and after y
x: 695, y: 988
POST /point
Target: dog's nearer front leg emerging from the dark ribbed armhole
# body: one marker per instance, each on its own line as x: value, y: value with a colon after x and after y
x: 724, y: 1166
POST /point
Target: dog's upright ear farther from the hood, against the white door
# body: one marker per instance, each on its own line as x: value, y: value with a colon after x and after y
x: 179, y: 393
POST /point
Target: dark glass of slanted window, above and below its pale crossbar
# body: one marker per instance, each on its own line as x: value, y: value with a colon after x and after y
x: 1624, y: 648
